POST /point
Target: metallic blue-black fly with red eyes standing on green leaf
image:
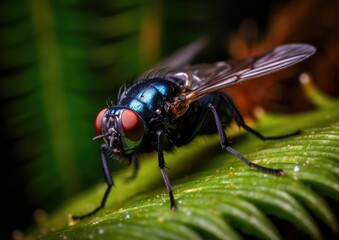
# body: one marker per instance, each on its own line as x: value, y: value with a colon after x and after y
x: 171, y: 105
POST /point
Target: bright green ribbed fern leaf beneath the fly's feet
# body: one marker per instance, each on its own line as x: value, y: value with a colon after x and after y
x: 223, y: 198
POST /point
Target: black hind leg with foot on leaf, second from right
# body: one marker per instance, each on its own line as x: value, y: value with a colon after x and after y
x: 225, y: 146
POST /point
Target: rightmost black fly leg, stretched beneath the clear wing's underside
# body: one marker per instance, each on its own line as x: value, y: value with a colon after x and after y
x: 240, y: 121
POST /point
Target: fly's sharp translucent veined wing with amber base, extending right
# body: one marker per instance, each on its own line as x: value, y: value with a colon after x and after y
x: 208, y: 78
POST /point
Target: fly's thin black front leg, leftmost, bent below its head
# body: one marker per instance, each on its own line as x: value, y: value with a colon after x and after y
x: 109, y: 181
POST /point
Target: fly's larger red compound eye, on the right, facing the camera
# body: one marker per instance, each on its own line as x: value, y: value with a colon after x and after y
x: 132, y: 125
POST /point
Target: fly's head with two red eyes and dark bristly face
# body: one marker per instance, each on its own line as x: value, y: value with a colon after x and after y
x: 121, y: 128
